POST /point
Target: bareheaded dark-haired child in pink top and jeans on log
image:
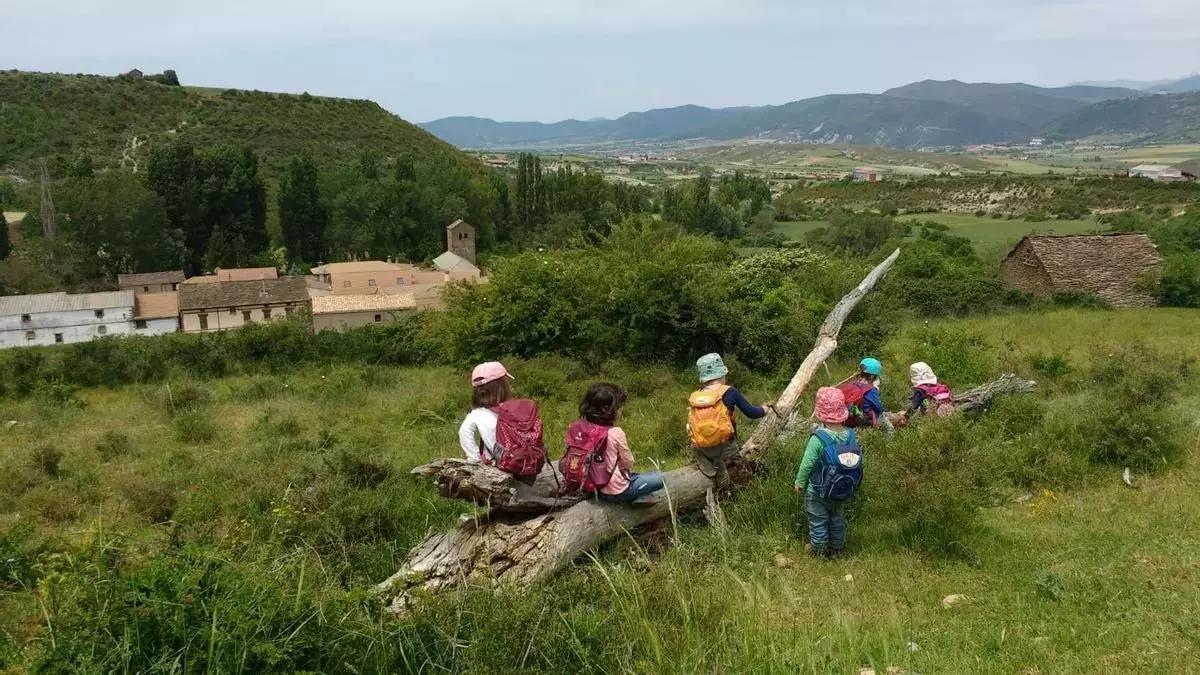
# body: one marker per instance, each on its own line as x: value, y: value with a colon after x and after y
x: 602, y: 407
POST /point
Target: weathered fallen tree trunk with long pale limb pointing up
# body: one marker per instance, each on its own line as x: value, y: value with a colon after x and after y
x: 503, y: 548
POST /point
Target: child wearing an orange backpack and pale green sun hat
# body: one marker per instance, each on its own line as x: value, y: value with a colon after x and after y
x: 711, y: 421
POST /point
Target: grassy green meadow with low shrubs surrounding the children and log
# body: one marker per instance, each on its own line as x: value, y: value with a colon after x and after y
x: 237, y: 523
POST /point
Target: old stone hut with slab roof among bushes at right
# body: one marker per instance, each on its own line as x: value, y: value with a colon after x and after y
x: 1109, y: 266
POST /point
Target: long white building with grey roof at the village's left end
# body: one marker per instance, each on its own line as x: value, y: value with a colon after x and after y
x: 62, y: 319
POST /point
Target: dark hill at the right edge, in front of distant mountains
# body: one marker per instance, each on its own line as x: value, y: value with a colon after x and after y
x: 1166, y: 118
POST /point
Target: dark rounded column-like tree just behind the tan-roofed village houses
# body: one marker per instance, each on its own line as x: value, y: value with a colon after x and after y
x: 304, y: 216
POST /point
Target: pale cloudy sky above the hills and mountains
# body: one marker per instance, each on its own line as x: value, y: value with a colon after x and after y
x: 555, y: 59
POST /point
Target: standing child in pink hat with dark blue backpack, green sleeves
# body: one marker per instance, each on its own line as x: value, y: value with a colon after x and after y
x: 827, y: 488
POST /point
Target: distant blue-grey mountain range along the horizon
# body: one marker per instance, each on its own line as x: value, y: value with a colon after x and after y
x: 922, y: 115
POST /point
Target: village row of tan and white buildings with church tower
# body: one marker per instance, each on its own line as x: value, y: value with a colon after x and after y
x: 333, y: 297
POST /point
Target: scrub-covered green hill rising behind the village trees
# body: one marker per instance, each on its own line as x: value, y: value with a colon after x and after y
x: 45, y: 115
